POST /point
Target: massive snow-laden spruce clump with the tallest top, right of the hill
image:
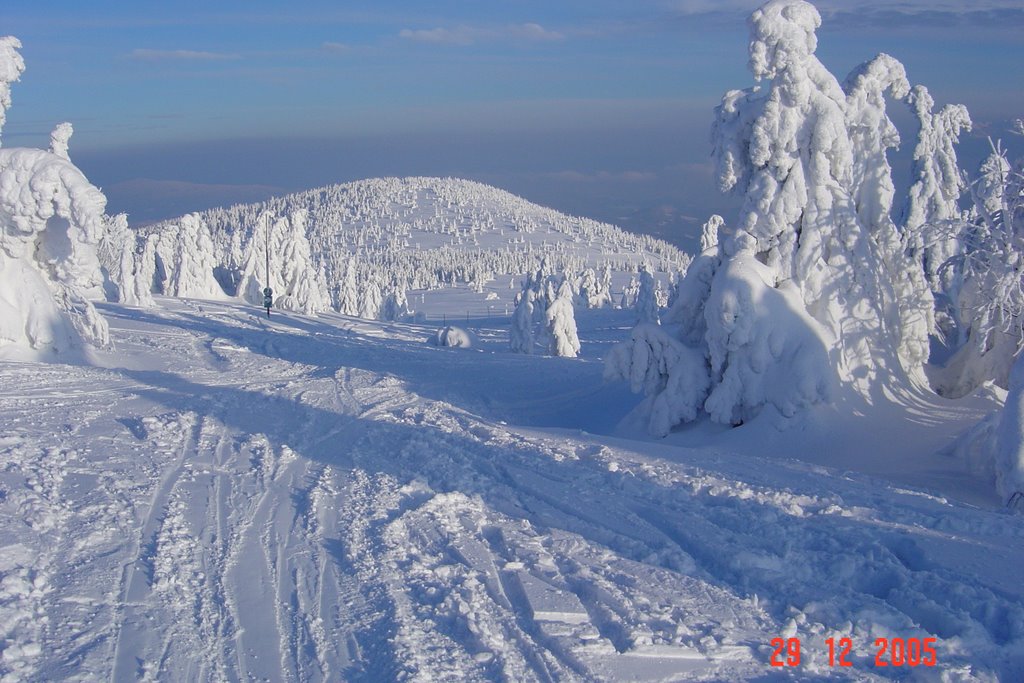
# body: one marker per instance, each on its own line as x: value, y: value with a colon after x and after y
x: 814, y: 287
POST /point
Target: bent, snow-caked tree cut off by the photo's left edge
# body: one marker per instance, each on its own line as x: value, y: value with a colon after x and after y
x: 52, y: 220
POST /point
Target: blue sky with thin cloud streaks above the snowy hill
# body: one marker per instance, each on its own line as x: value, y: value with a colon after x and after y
x: 594, y: 107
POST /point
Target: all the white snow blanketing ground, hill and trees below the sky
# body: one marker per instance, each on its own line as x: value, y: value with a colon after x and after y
x: 193, y: 491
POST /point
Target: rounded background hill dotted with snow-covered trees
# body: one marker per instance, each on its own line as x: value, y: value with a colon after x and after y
x: 351, y: 247
